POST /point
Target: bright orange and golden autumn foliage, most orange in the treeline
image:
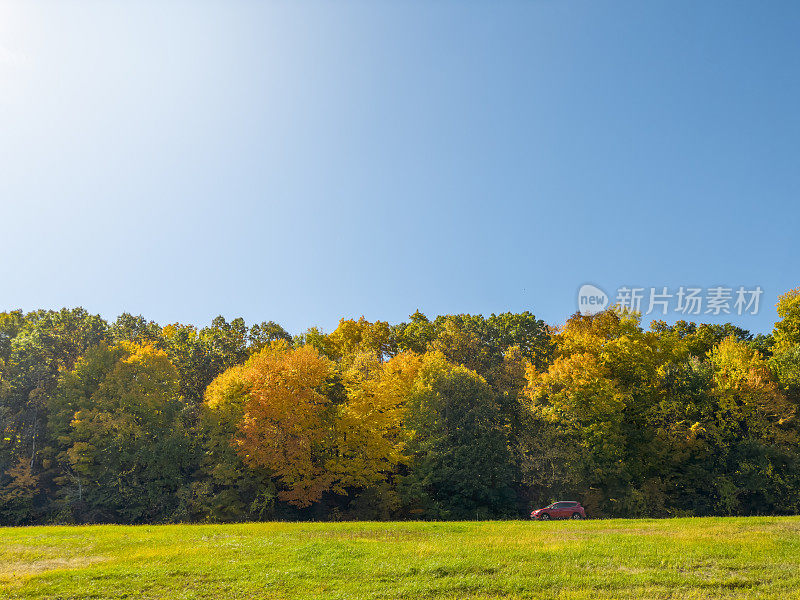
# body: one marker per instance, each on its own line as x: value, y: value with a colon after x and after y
x: 314, y: 425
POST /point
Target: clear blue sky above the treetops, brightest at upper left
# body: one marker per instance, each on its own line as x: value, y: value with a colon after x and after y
x: 302, y: 161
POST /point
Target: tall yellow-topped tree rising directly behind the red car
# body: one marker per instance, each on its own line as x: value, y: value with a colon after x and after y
x: 590, y: 409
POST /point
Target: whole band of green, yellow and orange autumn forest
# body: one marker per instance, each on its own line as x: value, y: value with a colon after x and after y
x: 454, y: 417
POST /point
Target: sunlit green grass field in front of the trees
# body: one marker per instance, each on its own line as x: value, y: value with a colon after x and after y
x: 682, y: 558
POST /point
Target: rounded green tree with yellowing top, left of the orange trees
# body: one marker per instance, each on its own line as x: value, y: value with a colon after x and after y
x: 125, y: 452
